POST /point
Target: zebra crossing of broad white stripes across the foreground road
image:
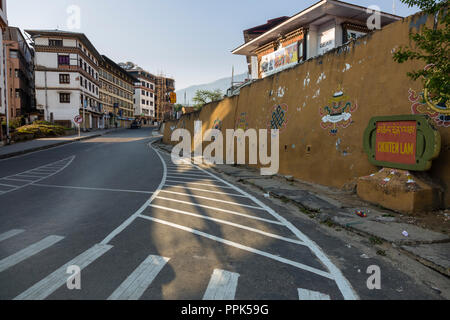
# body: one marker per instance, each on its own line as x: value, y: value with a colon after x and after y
x: 223, y: 284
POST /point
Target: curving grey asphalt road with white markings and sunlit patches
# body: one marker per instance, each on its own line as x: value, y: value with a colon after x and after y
x: 141, y: 227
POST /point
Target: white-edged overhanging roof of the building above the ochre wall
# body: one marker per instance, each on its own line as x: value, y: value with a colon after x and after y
x: 313, y: 14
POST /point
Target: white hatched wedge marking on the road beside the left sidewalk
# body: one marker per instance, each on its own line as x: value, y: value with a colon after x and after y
x: 23, y: 179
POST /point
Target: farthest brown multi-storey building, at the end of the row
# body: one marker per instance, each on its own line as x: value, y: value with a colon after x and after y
x: 164, y: 107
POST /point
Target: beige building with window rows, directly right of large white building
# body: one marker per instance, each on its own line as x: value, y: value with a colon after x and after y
x: 116, y: 94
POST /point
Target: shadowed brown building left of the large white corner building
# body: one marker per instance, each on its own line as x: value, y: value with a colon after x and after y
x: 19, y: 72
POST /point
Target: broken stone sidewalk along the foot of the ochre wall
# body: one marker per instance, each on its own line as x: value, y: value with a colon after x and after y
x: 337, y: 208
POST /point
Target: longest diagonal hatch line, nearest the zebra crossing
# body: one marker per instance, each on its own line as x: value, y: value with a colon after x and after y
x: 242, y: 247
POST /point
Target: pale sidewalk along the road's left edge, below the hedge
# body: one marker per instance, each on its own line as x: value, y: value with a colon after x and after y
x: 20, y: 148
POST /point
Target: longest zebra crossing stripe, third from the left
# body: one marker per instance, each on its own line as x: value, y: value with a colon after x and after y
x: 54, y: 281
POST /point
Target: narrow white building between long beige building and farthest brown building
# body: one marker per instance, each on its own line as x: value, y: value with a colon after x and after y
x: 144, y: 94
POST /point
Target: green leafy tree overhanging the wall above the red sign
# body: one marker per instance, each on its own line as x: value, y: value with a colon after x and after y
x: 432, y: 48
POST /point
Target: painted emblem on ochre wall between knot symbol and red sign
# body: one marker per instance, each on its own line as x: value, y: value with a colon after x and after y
x: 338, y: 113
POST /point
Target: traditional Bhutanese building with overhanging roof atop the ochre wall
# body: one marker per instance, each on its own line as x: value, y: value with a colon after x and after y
x: 284, y: 42
